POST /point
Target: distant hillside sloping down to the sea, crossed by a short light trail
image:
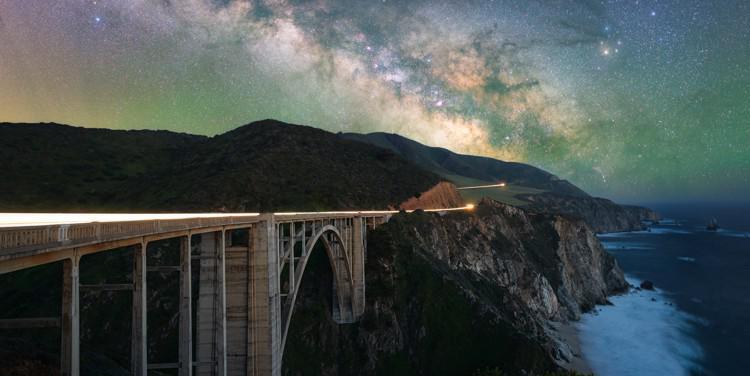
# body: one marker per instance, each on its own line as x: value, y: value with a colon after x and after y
x: 526, y: 186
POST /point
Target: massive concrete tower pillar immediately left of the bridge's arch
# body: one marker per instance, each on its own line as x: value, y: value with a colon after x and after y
x: 264, y: 313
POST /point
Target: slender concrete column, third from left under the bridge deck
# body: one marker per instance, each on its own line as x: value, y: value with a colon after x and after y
x: 186, y: 326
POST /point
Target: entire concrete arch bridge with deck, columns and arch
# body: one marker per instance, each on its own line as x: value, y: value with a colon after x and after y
x: 249, y: 268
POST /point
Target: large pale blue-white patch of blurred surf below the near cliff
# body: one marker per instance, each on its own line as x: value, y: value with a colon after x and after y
x: 640, y: 336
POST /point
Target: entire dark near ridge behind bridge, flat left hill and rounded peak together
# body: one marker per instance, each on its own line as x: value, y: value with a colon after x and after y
x: 263, y: 166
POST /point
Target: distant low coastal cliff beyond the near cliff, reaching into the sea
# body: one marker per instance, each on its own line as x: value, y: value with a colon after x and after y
x: 601, y: 214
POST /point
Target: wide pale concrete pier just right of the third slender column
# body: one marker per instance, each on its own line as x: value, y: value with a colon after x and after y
x: 210, y: 316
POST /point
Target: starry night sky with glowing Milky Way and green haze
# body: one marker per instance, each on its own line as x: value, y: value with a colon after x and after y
x: 634, y: 100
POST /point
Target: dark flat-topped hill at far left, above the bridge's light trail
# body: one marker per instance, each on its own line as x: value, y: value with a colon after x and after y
x: 54, y: 167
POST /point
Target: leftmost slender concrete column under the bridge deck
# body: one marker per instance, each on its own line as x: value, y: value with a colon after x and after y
x: 70, y: 347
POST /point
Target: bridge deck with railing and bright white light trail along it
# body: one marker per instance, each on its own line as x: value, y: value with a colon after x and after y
x: 30, y: 234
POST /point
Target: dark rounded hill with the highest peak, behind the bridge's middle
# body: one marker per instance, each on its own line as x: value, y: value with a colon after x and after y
x: 273, y: 166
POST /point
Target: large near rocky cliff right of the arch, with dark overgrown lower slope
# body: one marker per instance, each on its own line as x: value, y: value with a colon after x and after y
x: 458, y: 293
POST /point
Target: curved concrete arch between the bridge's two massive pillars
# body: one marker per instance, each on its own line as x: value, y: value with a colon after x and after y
x: 339, y: 254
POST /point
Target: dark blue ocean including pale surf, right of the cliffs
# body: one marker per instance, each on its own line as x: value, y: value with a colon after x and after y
x: 697, y: 322
